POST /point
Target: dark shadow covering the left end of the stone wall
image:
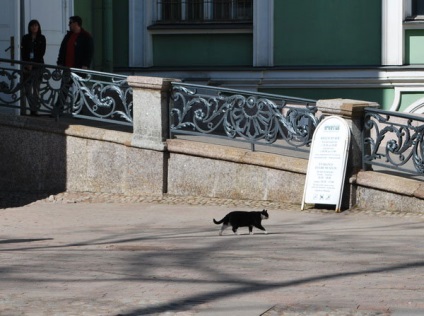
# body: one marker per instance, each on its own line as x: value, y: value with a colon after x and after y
x: 32, y: 162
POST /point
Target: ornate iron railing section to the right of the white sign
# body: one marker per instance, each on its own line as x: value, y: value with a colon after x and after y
x: 393, y: 140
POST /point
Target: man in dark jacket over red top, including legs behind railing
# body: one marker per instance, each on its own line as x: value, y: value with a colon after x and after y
x: 76, y: 51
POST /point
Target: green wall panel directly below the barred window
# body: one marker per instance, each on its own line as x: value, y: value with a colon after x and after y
x: 203, y: 50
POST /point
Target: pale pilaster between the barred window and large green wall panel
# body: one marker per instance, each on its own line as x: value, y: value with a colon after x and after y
x: 263, y: 33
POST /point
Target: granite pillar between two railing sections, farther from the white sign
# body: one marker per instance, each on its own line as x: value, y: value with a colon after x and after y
x: 150, y: 111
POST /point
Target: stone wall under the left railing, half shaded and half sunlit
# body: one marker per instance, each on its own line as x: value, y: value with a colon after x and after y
x: 41, y: 155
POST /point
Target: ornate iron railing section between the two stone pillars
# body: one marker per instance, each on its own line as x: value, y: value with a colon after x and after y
x: 255, y: 118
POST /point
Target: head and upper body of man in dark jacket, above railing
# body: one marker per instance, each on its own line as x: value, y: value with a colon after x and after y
x: 76, y: 50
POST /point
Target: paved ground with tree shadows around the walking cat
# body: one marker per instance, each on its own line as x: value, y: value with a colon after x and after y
x: 153, y: 257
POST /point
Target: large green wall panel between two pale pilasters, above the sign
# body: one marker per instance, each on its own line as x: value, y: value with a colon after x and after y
x: 327, y: 32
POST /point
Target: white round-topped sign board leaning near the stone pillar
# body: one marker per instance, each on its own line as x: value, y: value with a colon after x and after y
x: 327, y: 163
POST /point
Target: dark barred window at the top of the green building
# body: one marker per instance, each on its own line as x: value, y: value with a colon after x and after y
x: 201, y: 11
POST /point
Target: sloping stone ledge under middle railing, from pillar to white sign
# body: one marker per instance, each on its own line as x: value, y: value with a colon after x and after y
x: 237, y: 155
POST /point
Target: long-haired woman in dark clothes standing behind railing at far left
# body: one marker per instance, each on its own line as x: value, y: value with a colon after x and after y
x: 33, y: 48
